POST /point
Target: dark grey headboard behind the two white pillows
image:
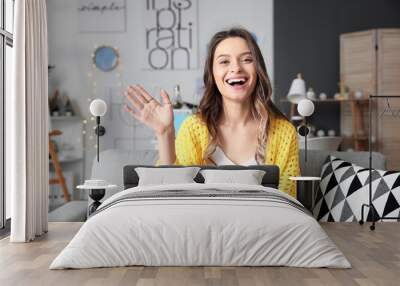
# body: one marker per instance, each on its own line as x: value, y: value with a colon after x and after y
x: 270, y: 179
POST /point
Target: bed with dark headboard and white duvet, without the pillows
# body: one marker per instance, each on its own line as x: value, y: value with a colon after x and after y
x: 198, y: 224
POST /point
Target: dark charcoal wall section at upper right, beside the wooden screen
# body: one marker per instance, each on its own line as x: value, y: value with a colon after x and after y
x: 306, y: 40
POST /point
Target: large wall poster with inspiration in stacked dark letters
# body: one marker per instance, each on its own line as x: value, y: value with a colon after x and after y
x: 170, y: 35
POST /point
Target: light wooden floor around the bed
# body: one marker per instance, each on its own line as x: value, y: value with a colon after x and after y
x: 375, y: 256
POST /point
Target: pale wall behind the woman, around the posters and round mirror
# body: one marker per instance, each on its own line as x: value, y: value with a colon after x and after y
x: 70, y: 51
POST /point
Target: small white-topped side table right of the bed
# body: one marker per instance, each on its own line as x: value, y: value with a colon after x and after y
x: 306, y: 190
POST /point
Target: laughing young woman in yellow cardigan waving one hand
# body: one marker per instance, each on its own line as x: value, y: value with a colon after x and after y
x: 237, y: 123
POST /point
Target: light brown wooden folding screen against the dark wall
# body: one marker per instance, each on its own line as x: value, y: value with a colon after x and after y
x: 370, y: 62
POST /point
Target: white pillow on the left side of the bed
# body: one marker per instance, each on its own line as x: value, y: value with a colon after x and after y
x: 163, y: 176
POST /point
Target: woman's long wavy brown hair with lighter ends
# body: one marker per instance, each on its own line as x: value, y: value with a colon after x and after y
x: 262, y: 107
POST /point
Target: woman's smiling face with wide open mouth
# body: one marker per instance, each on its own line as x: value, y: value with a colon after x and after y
x: 234, y: 69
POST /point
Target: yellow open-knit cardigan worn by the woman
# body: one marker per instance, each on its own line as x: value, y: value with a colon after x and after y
x: 281, y: 150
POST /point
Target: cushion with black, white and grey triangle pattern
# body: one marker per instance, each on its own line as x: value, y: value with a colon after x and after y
x: 344, y: 187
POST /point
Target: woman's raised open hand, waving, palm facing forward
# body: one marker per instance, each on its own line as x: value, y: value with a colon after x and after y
x: 148, y: 110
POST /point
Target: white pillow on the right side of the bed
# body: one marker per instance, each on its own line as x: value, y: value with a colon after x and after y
x: 249, y: 177
